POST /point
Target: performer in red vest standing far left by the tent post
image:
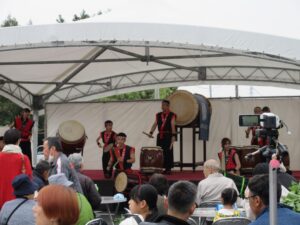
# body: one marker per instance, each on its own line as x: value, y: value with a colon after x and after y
x: 24, y: 124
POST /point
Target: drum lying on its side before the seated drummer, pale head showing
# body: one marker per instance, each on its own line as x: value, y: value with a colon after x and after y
x: 125, y: 181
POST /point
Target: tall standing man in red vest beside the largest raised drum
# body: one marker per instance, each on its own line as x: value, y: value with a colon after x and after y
x: 166, y: 137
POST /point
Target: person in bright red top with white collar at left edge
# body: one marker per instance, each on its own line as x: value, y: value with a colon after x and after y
x: 12, y: 163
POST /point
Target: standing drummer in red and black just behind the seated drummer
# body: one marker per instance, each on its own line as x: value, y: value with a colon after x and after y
x: 108, y: 137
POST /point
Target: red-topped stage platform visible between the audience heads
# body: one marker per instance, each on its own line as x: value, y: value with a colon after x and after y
x: 106, y: 186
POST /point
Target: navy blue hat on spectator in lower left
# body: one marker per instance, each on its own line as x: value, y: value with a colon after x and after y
x: 23, y: 185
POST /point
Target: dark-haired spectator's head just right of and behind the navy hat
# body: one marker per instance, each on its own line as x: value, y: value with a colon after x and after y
x: 41, y: 173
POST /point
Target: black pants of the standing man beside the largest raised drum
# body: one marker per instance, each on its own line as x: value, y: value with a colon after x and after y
x: 165, y: 143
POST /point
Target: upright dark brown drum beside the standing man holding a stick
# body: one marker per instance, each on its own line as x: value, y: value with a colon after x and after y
x: 151, y: 160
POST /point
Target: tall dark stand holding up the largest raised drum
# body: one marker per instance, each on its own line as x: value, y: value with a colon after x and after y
x: 194, y: 164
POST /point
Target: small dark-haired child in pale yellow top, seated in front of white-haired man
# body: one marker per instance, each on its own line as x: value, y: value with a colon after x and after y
x: 229, y: 197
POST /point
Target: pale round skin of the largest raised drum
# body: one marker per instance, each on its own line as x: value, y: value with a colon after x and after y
x: 185, y: 106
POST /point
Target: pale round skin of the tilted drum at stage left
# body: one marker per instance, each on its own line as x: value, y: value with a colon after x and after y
x: 71, y: 131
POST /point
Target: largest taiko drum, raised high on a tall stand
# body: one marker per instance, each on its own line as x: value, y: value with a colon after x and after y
x: 188, y: 107
